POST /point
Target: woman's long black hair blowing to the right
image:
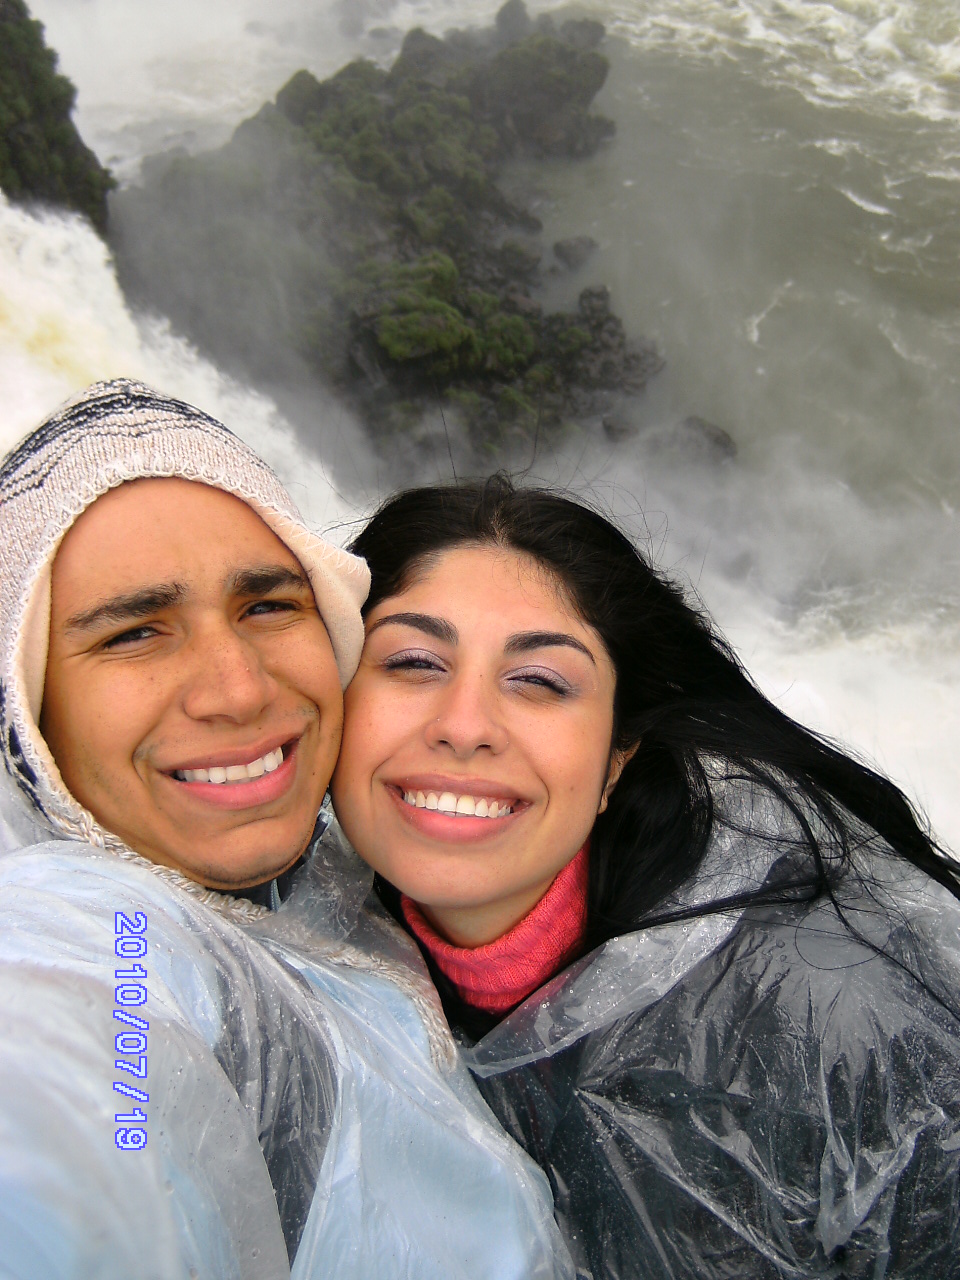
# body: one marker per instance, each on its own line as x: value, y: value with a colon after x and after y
x: 683, y: 703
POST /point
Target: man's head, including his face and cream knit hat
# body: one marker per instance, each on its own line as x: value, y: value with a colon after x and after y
x: 167, y: 612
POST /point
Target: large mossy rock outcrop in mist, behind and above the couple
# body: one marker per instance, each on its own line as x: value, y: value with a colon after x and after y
x: 358, y: 226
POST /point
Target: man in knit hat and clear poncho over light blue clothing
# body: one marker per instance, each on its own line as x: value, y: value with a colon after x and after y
x: 214, y: 1062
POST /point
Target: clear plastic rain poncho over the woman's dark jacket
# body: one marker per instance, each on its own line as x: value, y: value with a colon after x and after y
x: 755, y: 1094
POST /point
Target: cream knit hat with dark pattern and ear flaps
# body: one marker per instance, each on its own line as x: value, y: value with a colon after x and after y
x: 115, y: 433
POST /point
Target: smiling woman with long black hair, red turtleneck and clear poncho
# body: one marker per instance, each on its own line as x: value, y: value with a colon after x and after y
x: 703, y: 964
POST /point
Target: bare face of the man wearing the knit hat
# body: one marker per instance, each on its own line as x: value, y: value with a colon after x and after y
x: 193, y: 701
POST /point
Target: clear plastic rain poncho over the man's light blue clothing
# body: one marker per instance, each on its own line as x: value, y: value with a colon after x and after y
x: 305, y: 1098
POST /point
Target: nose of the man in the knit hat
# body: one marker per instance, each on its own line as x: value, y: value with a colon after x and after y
x: 226, y: 676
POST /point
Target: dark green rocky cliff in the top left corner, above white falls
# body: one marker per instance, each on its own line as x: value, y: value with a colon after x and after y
x: 43, y: 157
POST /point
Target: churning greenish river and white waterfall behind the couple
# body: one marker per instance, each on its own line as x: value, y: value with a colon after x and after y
x: 779, y: 211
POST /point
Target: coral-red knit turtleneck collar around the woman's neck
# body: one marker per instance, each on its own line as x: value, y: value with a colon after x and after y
x: 502, y: 973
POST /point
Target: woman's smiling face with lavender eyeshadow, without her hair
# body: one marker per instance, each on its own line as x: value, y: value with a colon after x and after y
x: 477, y: 747
